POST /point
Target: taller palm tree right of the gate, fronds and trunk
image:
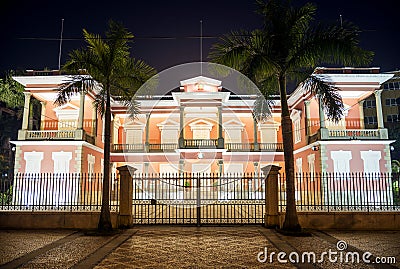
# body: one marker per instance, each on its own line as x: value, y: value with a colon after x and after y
x: 287, y: 48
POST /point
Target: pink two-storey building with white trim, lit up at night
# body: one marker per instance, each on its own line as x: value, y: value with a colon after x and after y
x: 218, y: 131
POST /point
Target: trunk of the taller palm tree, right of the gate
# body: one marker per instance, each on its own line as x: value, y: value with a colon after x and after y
x: 291, y: 222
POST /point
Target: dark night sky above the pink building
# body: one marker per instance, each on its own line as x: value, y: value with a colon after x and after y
x: 26, y: 26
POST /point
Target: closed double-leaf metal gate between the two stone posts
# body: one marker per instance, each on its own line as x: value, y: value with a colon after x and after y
x: 198, y: 199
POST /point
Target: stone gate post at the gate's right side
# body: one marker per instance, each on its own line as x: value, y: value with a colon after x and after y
x: 271, y: 218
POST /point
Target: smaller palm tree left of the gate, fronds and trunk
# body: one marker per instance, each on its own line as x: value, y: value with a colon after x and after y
x: 106, y: 67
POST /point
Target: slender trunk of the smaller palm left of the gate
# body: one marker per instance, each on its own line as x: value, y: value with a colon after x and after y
x: 105, y: 216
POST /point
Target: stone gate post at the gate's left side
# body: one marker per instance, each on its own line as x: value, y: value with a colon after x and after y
x: 126, y: 195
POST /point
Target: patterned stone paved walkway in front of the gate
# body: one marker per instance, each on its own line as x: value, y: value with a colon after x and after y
x: 192, y: 247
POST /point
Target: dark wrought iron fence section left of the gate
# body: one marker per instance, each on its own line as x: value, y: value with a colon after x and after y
x: 56, y: 192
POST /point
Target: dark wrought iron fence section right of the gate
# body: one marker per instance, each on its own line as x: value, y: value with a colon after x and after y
x: 343, y: 192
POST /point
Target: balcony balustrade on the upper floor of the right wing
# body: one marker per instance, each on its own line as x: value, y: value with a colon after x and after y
x: 349, y: 134
